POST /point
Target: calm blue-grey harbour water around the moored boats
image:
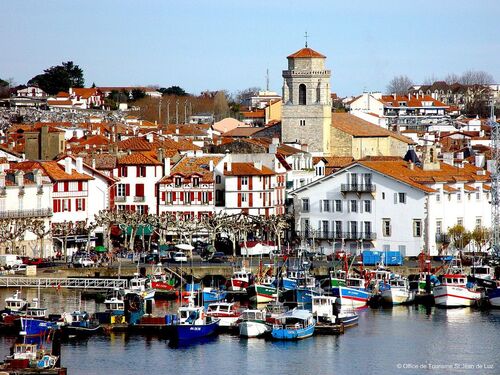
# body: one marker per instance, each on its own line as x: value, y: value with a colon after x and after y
x: 399, y: 340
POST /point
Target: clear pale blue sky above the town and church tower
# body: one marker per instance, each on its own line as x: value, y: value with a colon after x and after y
x: 227, y: 44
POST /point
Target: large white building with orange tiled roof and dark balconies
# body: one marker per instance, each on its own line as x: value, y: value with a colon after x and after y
x: 391, y: 204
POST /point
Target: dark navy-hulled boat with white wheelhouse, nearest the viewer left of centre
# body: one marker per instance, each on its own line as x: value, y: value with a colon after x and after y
x: 194, y: 323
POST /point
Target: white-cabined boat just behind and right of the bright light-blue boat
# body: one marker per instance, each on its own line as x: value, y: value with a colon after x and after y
x: 328, y: 310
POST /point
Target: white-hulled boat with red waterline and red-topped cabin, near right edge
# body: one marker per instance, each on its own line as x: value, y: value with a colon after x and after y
x: 454, y: 291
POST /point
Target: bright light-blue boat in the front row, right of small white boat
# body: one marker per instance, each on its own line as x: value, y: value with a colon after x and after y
x: 294, y: 325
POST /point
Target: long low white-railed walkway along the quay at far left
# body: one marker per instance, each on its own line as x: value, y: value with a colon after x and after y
x: 72, y: 283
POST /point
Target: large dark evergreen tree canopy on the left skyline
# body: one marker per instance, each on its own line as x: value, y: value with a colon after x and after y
x: 59, y: 78
